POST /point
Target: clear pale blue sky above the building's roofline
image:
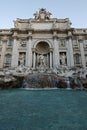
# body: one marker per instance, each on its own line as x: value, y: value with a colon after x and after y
x: 76, y: 10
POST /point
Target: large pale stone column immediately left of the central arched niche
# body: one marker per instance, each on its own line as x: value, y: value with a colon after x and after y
x: 29, y: 51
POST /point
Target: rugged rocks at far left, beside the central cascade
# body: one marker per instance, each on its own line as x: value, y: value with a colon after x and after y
x: 9, y: 79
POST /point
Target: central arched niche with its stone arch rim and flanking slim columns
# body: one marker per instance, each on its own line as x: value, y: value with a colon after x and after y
x: 43, y: 48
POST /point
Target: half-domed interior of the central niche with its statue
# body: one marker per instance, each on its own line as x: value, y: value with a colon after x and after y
x: 42, y: 54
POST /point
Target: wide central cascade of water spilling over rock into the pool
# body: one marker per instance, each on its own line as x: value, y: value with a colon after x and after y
x: 40, y: 80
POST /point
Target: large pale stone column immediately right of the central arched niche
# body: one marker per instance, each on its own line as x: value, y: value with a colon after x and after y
x: 56, y: 51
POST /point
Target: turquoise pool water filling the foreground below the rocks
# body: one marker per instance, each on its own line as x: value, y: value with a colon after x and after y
x: 57, y: 109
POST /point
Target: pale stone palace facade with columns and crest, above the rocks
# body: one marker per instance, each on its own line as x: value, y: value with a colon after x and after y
x: 43, y: 41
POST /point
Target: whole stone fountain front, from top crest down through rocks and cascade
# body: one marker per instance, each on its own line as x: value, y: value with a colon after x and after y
x: 45, y: 51
